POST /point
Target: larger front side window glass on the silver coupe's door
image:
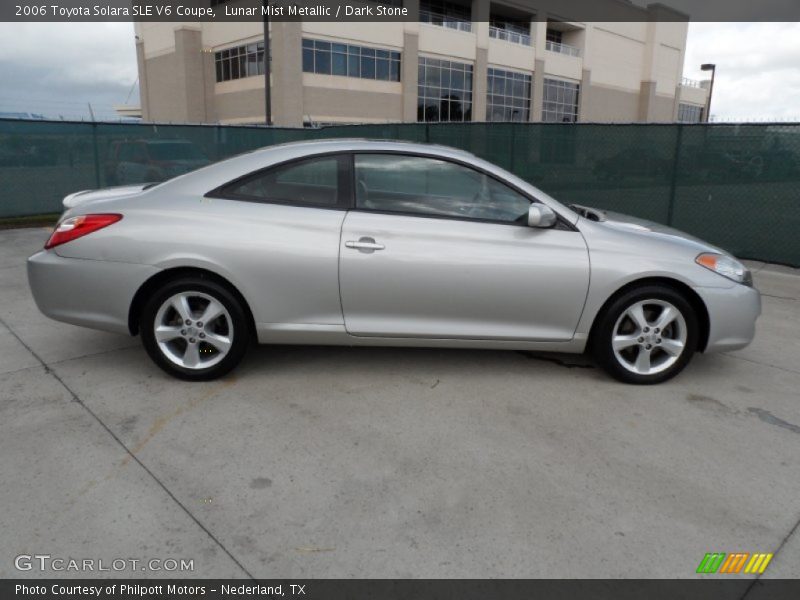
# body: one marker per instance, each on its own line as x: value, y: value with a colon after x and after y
x: 429, y: 186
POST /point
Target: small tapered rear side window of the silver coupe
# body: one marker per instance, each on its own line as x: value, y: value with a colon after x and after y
x: 314, y: 182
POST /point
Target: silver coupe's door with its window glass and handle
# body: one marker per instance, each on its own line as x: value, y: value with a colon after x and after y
x: 437, y: 249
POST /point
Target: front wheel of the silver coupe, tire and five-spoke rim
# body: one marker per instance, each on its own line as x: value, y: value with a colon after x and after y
x: 647, y: 335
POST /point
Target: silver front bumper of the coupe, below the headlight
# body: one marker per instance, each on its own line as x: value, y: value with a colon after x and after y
x: 732, y: 314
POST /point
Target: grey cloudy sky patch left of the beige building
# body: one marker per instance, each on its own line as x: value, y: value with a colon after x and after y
x: 58, y: 68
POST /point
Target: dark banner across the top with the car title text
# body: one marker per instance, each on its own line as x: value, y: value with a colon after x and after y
x: 391, y: 10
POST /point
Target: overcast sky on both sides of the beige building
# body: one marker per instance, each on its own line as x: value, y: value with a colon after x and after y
x: 57, y: 68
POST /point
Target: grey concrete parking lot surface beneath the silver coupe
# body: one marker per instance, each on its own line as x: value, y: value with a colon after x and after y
x: 361, y: 462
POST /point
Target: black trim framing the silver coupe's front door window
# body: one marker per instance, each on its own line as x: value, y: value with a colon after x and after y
x: 561, y: 222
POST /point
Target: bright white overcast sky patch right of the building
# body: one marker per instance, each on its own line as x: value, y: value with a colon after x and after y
x: 757, y: 68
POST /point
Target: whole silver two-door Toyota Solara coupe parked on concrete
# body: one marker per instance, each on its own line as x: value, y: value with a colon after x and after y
x: 356, y: 242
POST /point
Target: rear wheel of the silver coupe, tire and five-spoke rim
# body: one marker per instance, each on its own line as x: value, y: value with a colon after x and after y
x: 198, y: 350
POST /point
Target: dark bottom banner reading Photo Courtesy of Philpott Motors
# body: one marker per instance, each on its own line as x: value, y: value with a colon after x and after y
x: 419, y: 589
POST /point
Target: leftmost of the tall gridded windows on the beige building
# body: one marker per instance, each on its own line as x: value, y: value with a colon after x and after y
x: 445, y: 90
